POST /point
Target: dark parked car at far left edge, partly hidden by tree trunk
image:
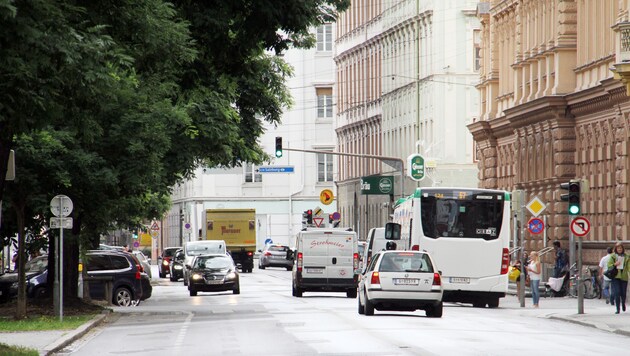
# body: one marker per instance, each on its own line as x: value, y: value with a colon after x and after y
x: 36, y: 271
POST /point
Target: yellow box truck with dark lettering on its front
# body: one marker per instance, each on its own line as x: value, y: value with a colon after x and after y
x: 237, y: 227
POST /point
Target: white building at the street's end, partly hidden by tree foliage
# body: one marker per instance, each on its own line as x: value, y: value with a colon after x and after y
x: 279, y: 198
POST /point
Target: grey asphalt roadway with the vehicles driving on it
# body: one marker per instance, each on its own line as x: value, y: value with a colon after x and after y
x: 266, y: 320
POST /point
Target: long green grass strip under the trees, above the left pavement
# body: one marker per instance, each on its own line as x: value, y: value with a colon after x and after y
x: 8, y: 324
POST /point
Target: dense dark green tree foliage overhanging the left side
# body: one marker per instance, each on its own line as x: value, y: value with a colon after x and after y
x: 114, y: 103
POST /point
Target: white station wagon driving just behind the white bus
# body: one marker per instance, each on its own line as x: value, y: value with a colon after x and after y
x: 401, y: 281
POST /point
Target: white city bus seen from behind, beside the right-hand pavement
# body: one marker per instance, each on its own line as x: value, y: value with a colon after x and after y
x: 467, y: 232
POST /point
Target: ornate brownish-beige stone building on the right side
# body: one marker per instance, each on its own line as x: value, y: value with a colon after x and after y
x: 551, y: 111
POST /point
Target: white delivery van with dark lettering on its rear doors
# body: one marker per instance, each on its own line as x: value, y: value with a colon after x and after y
x: 326, y: 260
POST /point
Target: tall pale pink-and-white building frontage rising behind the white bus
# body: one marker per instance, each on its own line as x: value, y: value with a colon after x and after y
x: 406, y: 77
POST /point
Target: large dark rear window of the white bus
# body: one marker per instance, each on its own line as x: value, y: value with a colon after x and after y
x: 461, y: 214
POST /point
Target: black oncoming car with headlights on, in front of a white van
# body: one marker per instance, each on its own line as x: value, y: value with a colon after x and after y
x: 213, y: 273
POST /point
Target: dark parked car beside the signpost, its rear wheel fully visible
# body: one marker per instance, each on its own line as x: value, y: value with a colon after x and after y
x: 122, y: 271
